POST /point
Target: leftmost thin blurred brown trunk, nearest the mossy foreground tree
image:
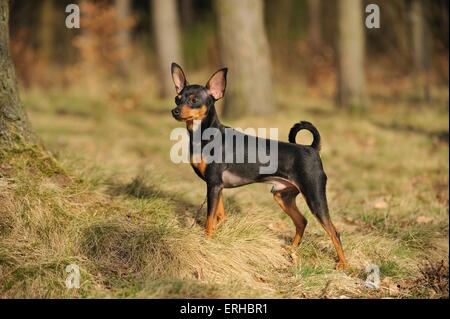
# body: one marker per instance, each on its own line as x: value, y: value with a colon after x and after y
x: 46, y: 31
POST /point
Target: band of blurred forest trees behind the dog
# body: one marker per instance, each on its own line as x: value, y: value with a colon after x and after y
x: 322, y: 46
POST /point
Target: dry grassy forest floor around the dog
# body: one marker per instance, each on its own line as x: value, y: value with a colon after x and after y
x: 116, y: 206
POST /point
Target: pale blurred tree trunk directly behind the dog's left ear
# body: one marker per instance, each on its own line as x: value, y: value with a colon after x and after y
x: 167, y: 35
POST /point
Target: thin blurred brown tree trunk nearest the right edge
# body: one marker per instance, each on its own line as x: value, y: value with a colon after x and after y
x: 420, y: 47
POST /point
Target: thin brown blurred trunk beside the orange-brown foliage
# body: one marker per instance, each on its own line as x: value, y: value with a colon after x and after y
x: 123, y: 8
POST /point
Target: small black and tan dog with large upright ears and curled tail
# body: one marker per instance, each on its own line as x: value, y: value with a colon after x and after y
x: 299, y: 167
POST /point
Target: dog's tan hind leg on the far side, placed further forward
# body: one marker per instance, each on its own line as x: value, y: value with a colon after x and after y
x: 286, y: 199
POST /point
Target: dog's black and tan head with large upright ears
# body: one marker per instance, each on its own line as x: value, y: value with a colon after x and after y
x: 194, y: 101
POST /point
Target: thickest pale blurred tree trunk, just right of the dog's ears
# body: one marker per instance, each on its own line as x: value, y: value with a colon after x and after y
x: 245, y: 50
